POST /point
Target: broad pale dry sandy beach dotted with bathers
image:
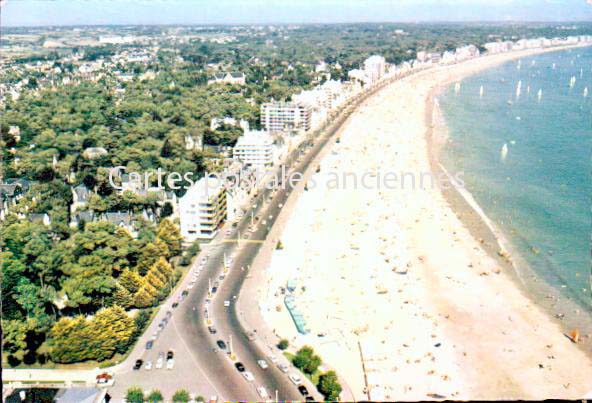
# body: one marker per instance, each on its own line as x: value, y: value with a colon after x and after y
x: 397, y: 293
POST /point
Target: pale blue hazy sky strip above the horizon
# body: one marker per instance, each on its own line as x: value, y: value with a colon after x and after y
x: 72, y: 12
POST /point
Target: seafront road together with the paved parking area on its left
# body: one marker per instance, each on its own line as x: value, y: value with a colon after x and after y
x: 200, y: 366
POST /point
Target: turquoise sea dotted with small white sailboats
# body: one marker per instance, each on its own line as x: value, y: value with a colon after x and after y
x: 540, y: 195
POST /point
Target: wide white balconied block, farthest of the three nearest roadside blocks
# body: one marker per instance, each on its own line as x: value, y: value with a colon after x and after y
x: 285, y: 116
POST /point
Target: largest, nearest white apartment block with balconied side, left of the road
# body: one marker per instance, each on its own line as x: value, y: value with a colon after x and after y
x: 202, y: 210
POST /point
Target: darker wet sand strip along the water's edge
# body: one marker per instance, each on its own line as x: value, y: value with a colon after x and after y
x: 570, y: 314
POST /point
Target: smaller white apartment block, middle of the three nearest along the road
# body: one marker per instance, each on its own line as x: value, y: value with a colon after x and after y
x: 254, y: 148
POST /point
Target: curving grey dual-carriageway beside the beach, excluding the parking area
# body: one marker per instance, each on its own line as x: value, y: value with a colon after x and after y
x: 243, y: 246
